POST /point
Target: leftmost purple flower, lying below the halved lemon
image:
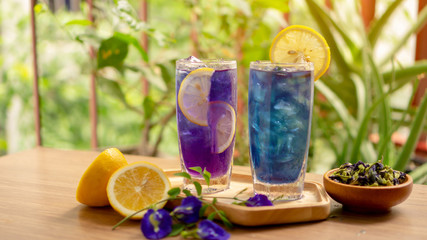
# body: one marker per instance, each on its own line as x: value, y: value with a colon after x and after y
x: 156, y: 224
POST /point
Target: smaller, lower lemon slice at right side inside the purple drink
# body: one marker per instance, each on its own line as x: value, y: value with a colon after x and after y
x: 222, y: 120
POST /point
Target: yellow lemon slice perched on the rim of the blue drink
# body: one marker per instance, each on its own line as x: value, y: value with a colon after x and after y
x: 298, y: 43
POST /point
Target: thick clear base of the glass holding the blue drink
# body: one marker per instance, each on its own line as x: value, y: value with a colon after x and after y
x: 280, y: 192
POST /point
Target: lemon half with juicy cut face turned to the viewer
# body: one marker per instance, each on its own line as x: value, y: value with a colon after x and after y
x: 137, y: 186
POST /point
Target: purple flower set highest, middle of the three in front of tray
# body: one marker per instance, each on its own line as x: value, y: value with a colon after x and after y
x: 188, y: 211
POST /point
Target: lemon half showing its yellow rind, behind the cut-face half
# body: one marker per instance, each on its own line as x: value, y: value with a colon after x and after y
x: 92, y: 186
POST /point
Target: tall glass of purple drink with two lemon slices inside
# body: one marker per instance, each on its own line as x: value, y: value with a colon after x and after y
x: 206, y: 116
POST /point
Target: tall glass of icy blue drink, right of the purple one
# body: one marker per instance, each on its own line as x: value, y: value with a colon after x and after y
x: 280, y: 110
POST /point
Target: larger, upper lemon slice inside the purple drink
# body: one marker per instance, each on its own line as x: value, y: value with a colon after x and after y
x: 193, y: 95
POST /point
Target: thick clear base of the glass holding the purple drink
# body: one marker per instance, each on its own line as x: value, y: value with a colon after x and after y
x: 216, y: 184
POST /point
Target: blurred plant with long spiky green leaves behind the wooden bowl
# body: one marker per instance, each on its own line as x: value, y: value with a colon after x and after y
x: 354, y: 98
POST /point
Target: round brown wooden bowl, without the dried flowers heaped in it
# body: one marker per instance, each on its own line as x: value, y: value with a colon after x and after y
x: 367, y: 199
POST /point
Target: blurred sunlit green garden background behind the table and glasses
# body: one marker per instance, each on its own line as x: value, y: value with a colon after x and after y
x: 360, y: 103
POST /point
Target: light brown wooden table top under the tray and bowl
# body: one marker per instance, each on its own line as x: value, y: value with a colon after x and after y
x: 37, y: 201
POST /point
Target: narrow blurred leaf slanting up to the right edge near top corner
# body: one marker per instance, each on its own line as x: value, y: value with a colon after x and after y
x: 415, y: 27
